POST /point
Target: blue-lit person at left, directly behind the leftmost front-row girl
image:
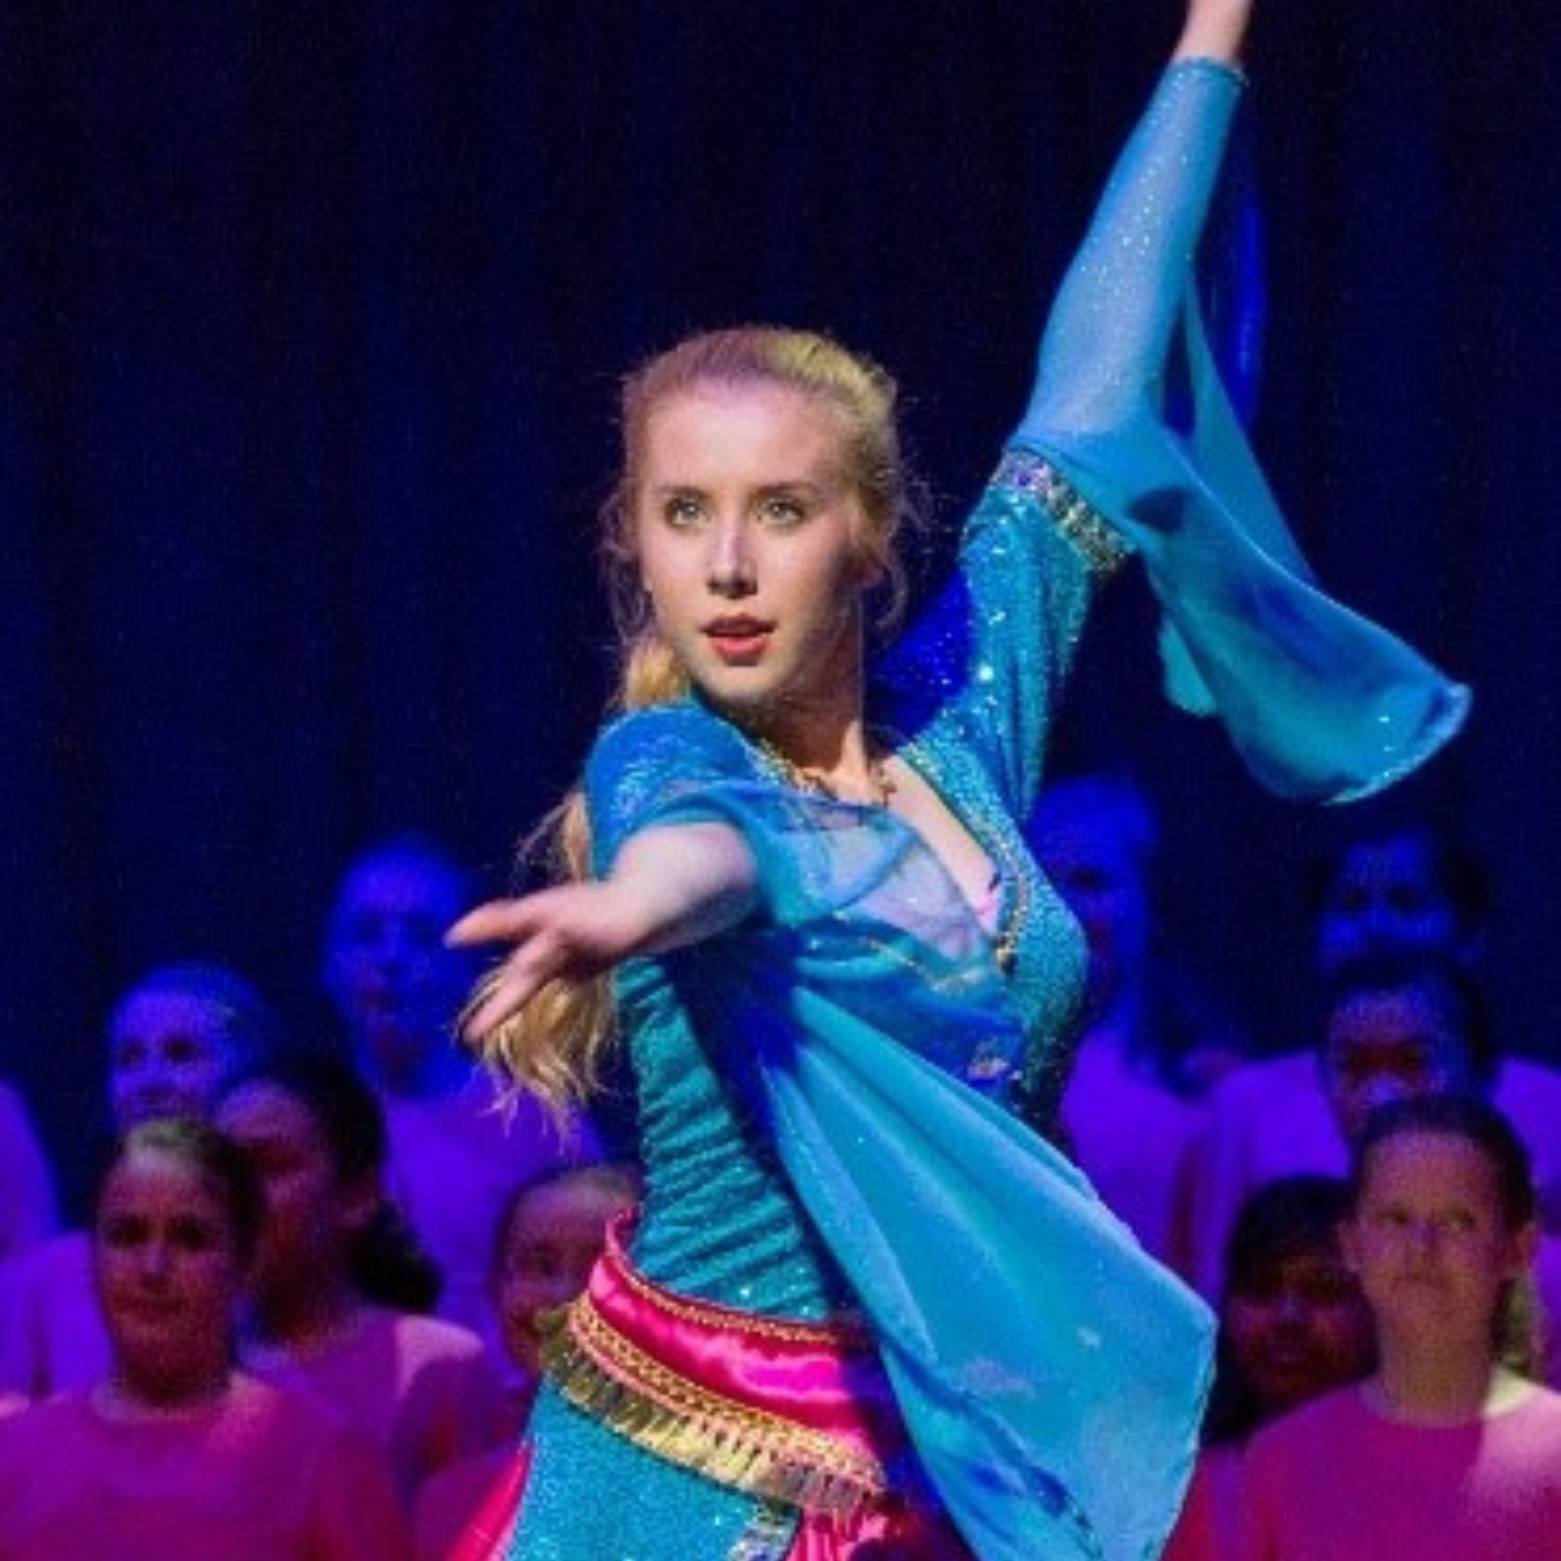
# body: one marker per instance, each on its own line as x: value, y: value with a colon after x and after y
x: 172, y: 1039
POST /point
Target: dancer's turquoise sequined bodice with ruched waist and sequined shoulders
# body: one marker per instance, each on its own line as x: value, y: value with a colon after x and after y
x: 965, y: 692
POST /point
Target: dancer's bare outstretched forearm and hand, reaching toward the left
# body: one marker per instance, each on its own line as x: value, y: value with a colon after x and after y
x: 669, y: 887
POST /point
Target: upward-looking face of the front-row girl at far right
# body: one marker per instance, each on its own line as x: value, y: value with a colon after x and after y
x: 1431, y: 1243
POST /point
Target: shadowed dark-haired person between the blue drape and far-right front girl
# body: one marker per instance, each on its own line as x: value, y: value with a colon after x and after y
x: 1293, y: 1325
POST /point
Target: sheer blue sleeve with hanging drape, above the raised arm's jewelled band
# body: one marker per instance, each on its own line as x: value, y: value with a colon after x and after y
x: 1321, y: 703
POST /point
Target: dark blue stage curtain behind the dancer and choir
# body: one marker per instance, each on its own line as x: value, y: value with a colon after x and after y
x: 310, y: 322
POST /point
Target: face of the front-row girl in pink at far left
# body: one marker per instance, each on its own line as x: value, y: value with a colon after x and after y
x: 168, y: 1271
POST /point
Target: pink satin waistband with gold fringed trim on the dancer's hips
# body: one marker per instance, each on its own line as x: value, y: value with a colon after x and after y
x: 791, y: 1412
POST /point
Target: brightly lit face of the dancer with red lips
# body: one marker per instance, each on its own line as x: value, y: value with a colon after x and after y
x: 750, y: 546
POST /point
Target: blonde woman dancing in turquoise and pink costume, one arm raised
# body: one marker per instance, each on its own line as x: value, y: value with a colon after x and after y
x: 864, y: 1306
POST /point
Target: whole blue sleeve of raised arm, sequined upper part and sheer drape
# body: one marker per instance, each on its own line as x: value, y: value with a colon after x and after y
x: 1320, y: 703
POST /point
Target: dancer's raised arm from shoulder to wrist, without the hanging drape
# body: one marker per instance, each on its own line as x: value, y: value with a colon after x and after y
x: 995, y: 650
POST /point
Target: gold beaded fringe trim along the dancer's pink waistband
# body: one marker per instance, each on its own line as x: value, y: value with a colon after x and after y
x: 614, y: 1382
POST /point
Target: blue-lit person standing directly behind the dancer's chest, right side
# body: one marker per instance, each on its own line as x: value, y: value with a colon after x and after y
x: 1153, y: 1039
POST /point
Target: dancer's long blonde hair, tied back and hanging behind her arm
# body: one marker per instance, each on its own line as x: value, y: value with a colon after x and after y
x: 556, y: 1045
